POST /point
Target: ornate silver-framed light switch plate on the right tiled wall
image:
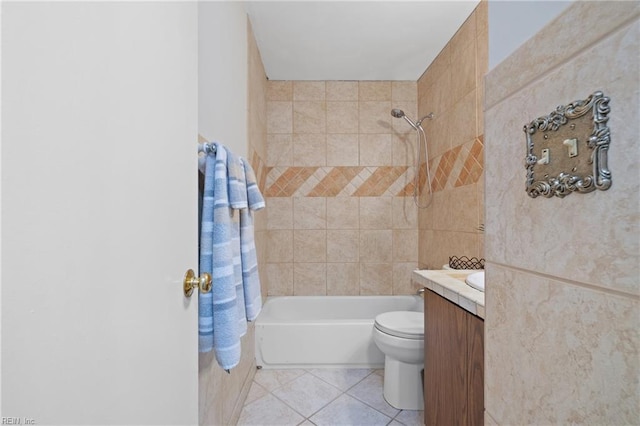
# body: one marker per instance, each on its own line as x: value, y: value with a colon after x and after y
x: 567, y: 149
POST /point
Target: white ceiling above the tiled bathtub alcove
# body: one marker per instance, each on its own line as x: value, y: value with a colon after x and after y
x: 353, y: 40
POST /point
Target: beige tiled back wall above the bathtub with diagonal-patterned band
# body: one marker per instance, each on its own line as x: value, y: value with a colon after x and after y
x: 339, y: 221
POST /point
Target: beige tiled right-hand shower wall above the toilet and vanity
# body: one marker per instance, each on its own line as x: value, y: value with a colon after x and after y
x: 452, y: 88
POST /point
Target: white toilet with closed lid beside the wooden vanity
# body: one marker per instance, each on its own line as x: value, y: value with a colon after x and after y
x: 400, y: 336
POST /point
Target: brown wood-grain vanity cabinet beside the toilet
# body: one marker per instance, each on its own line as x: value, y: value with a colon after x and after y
x: 454, y: 364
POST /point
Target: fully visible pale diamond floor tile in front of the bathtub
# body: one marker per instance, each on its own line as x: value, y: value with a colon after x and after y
x: 307, y: 394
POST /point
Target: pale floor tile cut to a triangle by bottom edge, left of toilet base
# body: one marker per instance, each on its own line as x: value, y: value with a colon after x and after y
x: 348, y: 411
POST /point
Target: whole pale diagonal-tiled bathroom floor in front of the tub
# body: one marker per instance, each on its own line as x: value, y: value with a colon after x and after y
x: 331, y: 397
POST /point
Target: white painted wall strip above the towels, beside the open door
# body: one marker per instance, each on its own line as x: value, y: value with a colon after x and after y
x: 222, y: 74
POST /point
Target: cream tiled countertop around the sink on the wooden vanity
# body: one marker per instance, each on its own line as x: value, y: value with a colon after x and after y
x: 450, y: 285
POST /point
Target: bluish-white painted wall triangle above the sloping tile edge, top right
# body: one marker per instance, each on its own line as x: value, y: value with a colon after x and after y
x: 511, y: 23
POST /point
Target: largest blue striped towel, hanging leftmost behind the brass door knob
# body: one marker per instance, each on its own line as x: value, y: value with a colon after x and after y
x: 218, y: 313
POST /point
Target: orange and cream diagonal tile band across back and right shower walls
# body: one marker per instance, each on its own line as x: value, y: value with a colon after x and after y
x: 462, y: 165
